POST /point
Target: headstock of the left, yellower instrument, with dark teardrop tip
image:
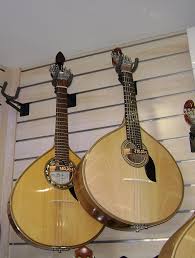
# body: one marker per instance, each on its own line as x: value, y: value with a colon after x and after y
x: 61, y: 75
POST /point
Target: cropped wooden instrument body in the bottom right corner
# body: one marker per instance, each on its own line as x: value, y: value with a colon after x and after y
x: 182, y: 243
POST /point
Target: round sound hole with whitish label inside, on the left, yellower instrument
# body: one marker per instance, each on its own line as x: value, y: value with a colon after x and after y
x: 59, y: 174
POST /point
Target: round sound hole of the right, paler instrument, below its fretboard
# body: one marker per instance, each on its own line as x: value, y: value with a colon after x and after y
x: 134, y: 156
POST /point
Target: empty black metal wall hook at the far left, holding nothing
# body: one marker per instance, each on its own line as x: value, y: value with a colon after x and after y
x: 23, y: 109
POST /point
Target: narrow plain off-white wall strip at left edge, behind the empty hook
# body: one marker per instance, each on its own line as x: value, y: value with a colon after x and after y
x: 7, y: 149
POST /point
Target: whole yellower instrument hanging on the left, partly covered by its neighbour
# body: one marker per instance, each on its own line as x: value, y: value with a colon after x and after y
x: 43, y: 208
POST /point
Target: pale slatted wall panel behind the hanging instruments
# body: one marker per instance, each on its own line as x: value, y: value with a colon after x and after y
x: 165, y: 82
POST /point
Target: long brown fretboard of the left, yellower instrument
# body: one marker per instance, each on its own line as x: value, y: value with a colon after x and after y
x: 61, y: 130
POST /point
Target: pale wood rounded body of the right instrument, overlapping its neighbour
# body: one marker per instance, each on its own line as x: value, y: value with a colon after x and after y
x: 119, y: 194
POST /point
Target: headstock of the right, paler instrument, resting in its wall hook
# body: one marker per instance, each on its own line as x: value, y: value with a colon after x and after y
x: 123, y: 63
